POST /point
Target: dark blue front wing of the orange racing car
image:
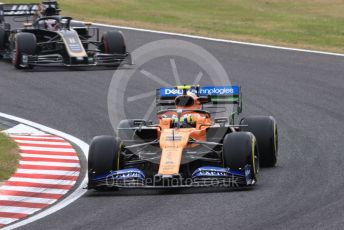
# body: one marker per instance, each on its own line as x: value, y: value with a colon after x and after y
x: 207, y: 176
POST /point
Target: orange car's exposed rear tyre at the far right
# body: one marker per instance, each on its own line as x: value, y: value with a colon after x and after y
x: 264, y: 128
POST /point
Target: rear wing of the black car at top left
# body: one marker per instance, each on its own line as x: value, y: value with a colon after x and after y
x: 26, y: 9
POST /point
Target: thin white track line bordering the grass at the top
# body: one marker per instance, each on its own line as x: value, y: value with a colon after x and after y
x: 219, y: 40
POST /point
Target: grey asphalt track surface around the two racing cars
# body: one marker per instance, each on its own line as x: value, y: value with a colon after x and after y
x: 303, y: 91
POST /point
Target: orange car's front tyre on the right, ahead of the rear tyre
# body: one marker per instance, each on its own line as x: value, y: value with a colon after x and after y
x: 239, y: 150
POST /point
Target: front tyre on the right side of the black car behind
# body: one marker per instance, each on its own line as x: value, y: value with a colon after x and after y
x: 113, y: 43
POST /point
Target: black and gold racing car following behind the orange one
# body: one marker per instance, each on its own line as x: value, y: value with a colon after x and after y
x: 50, y: 39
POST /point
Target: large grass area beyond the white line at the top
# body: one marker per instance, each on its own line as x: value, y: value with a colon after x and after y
x: 314, y: 24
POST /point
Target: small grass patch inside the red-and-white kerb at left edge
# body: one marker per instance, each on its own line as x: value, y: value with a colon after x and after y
x: 9, y: 157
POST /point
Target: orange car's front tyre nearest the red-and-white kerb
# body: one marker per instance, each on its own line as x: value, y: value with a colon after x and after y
x: 103, y: 157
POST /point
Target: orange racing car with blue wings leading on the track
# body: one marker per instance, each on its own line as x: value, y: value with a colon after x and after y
x: 187, y: 147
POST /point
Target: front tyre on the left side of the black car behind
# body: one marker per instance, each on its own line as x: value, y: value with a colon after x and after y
x: 25, y: 43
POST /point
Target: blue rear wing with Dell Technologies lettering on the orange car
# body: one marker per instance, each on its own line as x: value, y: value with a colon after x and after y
x: 208, y: 95
